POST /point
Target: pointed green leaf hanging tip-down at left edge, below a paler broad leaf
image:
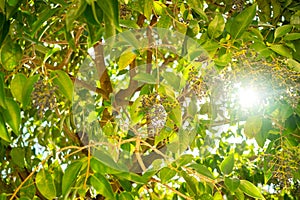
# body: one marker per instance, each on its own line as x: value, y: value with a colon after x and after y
x: 12, y: 115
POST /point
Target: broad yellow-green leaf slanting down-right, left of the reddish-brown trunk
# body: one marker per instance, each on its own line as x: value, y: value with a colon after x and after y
x: 64, y: 83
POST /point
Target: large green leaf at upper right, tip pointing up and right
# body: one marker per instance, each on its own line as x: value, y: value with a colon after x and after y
x: 242, y: 21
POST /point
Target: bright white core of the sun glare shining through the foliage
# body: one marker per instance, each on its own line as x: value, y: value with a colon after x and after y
x: 248, y: 97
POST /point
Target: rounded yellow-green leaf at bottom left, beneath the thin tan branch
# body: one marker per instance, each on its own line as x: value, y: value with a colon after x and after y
x: 45, y: 184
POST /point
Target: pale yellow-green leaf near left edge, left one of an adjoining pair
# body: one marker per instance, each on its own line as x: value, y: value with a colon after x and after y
x: 16, y: 86
